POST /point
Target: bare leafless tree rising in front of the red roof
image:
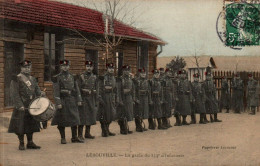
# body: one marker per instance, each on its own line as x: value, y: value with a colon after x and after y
x: 114, y: 12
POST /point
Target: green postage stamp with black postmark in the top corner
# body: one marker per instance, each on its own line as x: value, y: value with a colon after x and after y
x: 243, y: 24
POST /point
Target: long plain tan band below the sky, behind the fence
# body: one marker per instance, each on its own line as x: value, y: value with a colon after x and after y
x: 219, y: 63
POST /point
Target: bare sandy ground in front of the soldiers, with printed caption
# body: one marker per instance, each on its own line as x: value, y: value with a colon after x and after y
x: 235, y: 141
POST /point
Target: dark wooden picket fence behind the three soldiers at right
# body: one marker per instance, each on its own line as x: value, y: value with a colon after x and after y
x: 217, y: 75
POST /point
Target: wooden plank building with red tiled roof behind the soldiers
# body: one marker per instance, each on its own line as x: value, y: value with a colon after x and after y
x: 44, y: 32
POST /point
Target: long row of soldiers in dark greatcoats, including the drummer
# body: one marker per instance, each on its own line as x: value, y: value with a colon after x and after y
x: 85, y: 98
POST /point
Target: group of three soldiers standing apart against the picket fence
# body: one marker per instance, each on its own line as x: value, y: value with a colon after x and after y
x: 235, y: 100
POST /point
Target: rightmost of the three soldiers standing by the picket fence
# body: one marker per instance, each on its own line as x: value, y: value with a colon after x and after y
x: 252, y: 94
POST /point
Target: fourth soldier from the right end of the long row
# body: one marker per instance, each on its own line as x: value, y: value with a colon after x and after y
x: 168, y: 92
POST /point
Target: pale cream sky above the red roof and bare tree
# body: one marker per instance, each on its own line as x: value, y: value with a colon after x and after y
x: 188, y: 26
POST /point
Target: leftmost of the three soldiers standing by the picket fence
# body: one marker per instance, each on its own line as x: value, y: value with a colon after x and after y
x: 225, y: 95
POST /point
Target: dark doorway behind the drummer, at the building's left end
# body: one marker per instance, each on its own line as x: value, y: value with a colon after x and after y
x: 14, y: 53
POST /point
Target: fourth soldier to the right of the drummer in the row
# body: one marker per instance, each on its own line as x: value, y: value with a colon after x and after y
x: 126, y: 100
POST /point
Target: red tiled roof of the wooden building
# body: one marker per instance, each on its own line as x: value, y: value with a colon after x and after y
x: 58, y: 14
